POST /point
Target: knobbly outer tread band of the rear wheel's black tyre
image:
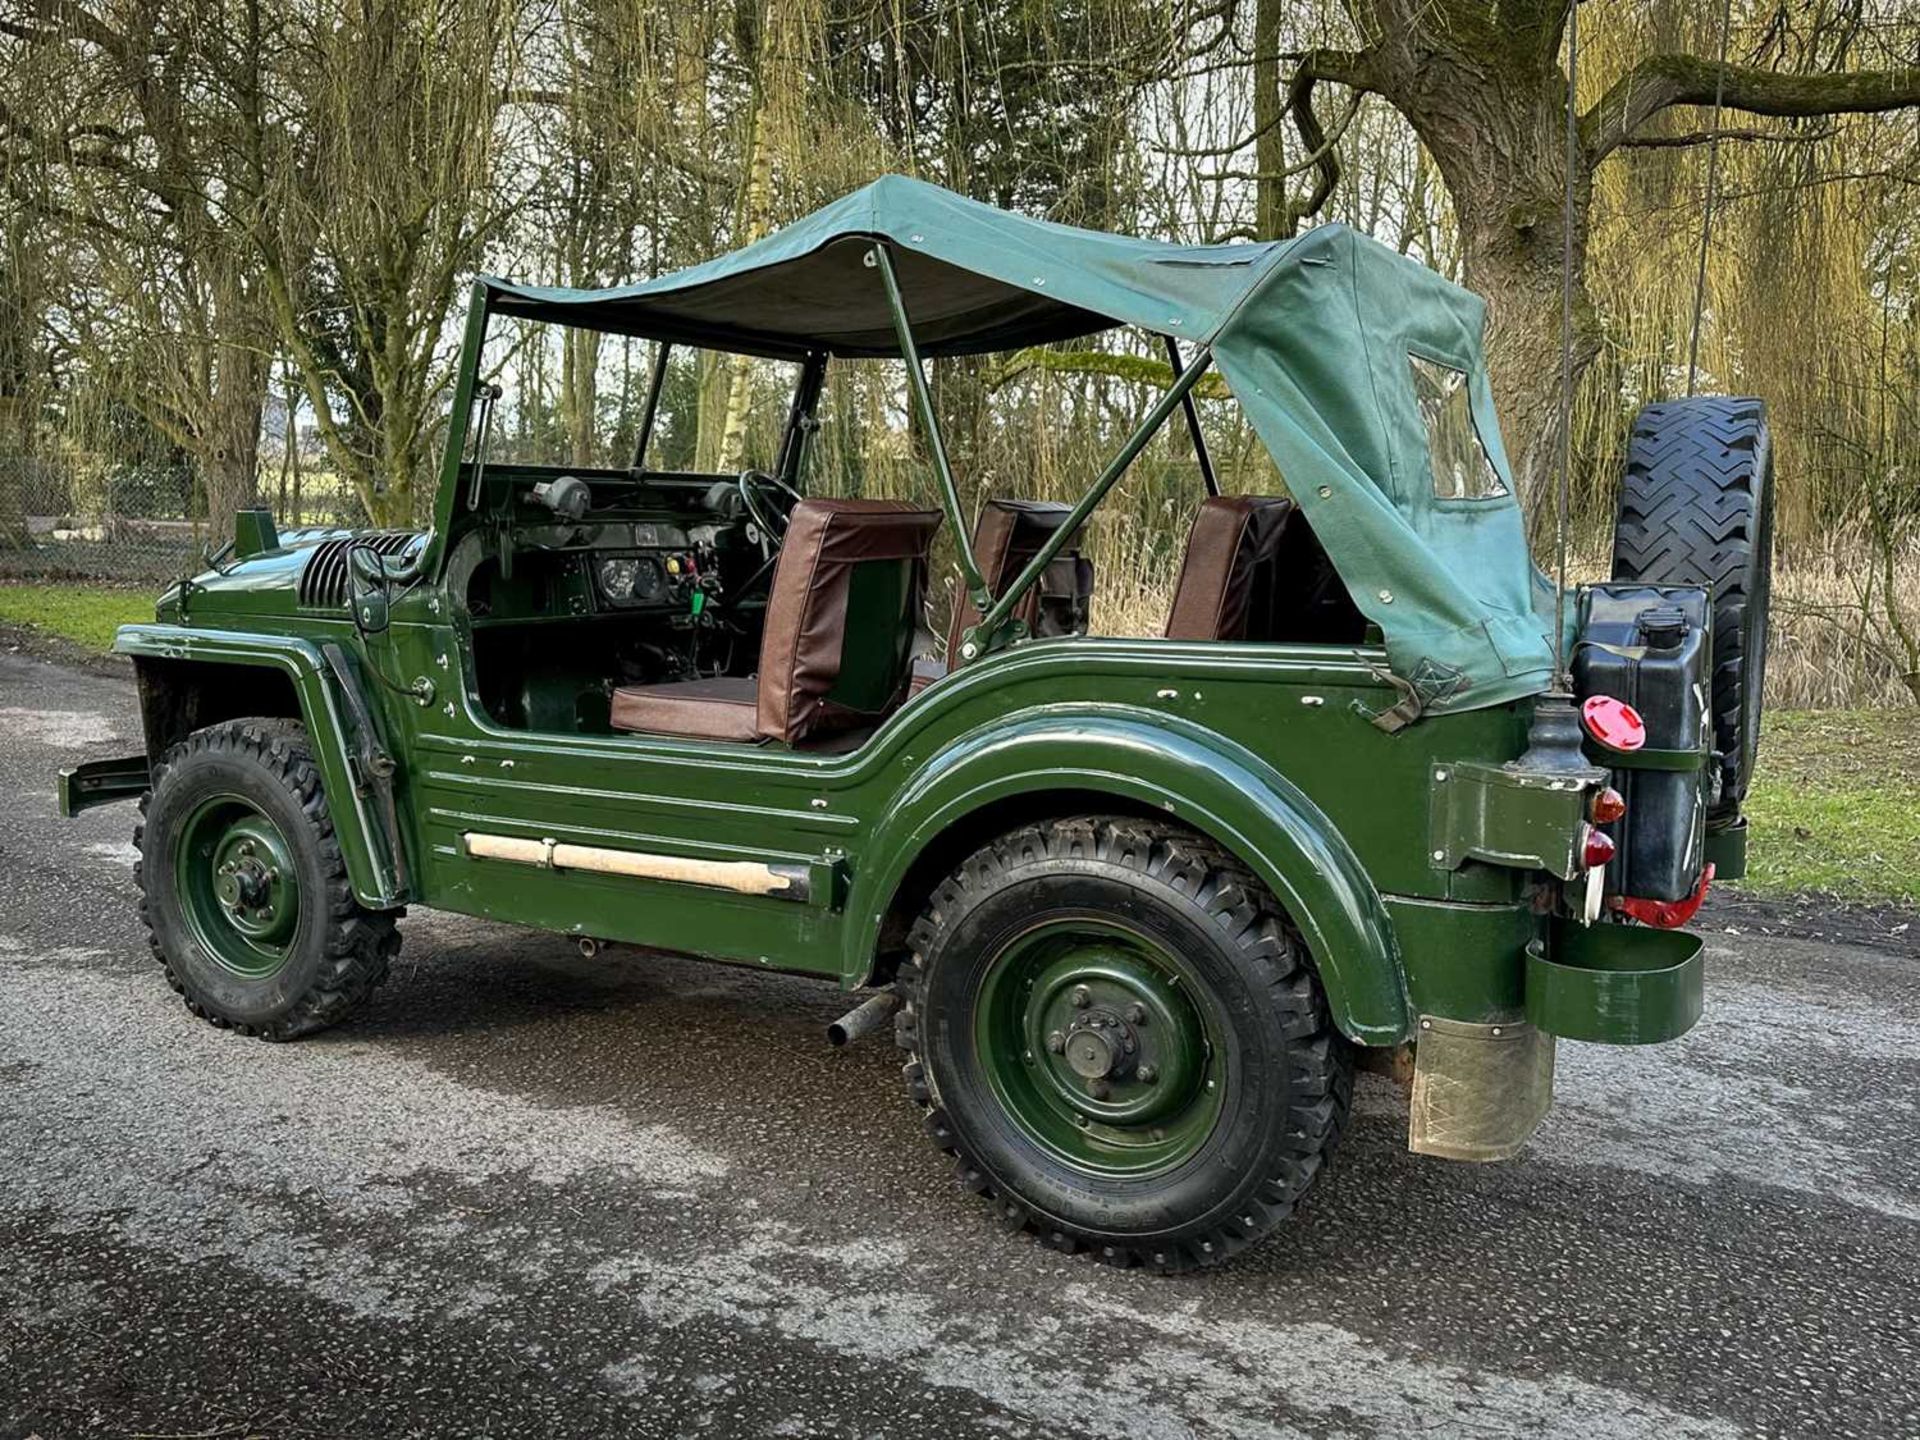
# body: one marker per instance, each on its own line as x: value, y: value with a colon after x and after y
x: 1276, y: 961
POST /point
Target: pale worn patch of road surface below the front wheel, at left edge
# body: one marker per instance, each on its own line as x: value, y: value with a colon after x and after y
x: 206, y: 1145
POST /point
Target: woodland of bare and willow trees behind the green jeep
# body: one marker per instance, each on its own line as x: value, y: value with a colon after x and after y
x: 237, y: 237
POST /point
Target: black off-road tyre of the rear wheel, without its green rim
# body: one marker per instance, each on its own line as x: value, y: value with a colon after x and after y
x: 1289, y: 1074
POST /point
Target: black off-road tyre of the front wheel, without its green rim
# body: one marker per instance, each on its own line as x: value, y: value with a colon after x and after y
x: 337, y: 951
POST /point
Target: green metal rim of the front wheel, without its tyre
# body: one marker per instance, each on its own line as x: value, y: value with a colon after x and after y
x: 233, y: 875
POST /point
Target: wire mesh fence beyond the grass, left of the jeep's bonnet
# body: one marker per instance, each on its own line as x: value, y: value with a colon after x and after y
x: 64, y: 519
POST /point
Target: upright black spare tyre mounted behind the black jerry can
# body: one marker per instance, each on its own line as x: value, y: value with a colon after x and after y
x: 1698, y: 510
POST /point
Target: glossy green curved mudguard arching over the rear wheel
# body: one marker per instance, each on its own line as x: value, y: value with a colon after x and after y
x: 1051, y: 767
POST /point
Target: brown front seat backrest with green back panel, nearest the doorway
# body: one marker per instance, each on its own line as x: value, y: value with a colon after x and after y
x: 850, y: 592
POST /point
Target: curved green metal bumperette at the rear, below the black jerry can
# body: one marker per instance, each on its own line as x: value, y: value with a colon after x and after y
x: 1616, y: 984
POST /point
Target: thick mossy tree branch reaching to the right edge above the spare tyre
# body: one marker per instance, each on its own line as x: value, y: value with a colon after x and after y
x: 1664, y: 82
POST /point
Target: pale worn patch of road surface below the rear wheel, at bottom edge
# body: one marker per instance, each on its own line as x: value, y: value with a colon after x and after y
x: 1107, y: 1368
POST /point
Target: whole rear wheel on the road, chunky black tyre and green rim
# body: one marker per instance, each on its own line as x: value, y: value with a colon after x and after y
x: 1122, y: 1044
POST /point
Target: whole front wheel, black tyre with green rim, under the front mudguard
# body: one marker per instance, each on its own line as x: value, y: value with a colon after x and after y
x: 245, y: 890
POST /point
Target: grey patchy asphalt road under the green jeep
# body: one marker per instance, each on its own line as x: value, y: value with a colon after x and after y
x: 531, y: 1195
